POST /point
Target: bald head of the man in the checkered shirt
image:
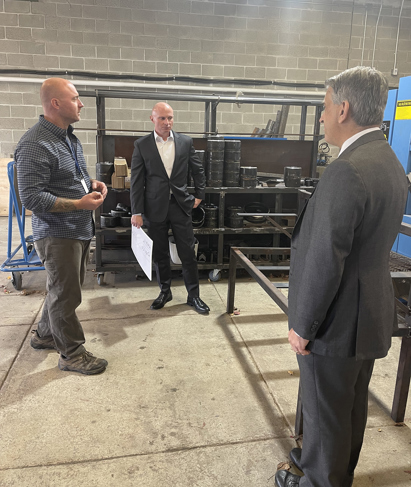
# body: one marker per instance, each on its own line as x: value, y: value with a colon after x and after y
x: 60, y: 100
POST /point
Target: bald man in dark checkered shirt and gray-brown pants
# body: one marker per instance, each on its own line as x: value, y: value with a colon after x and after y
x: 54, y: 184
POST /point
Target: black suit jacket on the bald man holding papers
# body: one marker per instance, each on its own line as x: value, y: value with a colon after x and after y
x: 150, y: 185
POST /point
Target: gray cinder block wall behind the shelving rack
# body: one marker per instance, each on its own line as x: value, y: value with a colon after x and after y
x: 284, y: 40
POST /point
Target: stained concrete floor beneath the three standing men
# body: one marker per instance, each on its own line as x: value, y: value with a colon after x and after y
x: 186, y: 400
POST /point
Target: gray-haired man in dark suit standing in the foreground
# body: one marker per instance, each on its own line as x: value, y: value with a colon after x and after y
x: 341, y: 300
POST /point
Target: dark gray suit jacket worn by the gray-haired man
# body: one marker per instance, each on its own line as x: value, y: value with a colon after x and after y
x: 341, y: 296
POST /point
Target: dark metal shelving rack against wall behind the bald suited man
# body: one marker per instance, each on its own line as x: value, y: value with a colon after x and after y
x: 113, y: 252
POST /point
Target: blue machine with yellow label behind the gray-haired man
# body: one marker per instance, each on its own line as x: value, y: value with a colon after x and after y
x: 397, y: 129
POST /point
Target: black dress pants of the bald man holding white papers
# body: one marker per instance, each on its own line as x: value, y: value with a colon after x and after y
x: 182, y: 227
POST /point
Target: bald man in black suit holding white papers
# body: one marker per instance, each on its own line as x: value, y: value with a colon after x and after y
x: 159, y: 169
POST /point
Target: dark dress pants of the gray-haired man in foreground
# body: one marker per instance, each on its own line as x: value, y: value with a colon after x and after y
x: 335, y: 404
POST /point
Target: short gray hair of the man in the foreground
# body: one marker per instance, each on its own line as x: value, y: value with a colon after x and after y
x: 365, y: 89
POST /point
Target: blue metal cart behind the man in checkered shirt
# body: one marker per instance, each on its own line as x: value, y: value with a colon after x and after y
x: 30, y: 260
